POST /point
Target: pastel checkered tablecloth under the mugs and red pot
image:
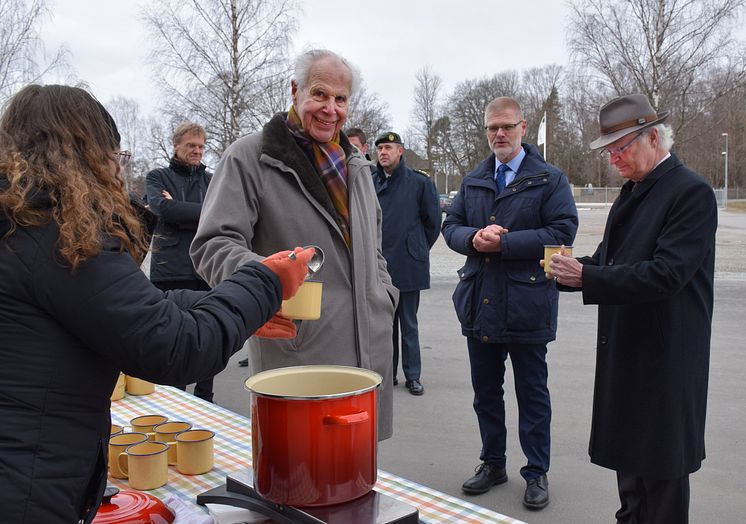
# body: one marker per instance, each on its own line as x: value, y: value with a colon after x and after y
x: 233, y: 455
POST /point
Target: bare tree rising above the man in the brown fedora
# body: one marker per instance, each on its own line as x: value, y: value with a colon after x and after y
x: 665, y: 49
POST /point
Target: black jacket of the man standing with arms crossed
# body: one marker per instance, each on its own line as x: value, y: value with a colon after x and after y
x: 177, y: 218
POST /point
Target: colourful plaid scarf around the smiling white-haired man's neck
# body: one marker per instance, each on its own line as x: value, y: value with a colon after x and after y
x: 329, y: 159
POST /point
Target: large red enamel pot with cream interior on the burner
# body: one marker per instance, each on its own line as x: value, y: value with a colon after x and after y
x: 314, y: 434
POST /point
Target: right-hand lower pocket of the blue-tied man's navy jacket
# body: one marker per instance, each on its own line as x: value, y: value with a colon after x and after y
x: 529, y: 307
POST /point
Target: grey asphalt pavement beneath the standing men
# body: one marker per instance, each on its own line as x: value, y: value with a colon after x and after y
x: 436, y: 438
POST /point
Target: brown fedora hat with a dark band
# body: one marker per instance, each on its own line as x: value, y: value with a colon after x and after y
x: 625, y: 115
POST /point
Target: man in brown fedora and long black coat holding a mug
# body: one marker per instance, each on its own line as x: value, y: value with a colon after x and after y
x: 652, y: 279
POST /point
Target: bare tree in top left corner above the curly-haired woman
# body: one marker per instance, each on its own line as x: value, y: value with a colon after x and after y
x: 23, y: 57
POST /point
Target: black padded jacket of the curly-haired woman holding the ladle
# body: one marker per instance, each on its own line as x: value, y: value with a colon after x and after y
x: 64, y: 338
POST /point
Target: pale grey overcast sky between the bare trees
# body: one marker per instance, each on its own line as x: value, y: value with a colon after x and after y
x: 389, y: 42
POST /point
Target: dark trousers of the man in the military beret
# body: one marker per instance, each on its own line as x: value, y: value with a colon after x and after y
x: 406, y: 318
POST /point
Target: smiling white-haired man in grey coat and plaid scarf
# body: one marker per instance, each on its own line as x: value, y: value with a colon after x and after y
x: 299, y: 181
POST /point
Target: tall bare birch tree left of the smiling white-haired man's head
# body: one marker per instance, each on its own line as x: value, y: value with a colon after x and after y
x: 222, y: 63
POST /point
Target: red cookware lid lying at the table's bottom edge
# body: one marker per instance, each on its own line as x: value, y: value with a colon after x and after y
x: 132, y: 507
